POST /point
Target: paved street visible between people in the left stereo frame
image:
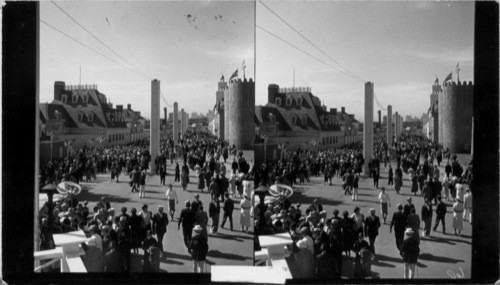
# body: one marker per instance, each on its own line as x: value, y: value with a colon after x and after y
x: 225, y: 248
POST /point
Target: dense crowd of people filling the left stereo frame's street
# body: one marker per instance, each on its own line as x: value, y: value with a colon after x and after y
x: 113, y: 237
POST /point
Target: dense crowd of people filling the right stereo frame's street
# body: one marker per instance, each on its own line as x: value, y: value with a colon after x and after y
x: 321, y: 240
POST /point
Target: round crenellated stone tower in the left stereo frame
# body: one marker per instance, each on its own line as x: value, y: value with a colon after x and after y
x: 239, y: 112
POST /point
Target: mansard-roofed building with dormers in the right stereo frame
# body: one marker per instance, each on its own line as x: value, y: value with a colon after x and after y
x: 295, y: 118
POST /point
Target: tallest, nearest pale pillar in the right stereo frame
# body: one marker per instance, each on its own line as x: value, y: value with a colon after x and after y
x: 368, y: 127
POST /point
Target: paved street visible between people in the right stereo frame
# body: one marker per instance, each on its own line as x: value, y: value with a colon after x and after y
x: 441, y: 256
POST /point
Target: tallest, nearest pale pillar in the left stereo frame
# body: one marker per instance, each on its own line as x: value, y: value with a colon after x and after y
x: 155, y: 123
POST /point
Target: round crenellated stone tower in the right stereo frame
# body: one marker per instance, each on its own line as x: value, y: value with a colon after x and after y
x: 455, y: 116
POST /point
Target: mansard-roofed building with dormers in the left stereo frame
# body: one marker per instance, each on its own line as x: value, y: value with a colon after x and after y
x: 80, y: 115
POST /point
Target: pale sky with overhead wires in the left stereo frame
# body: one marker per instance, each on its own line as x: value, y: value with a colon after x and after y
x: 185, y: 45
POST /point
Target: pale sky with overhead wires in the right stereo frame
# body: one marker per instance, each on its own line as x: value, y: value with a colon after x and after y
x: 399, y: 46
